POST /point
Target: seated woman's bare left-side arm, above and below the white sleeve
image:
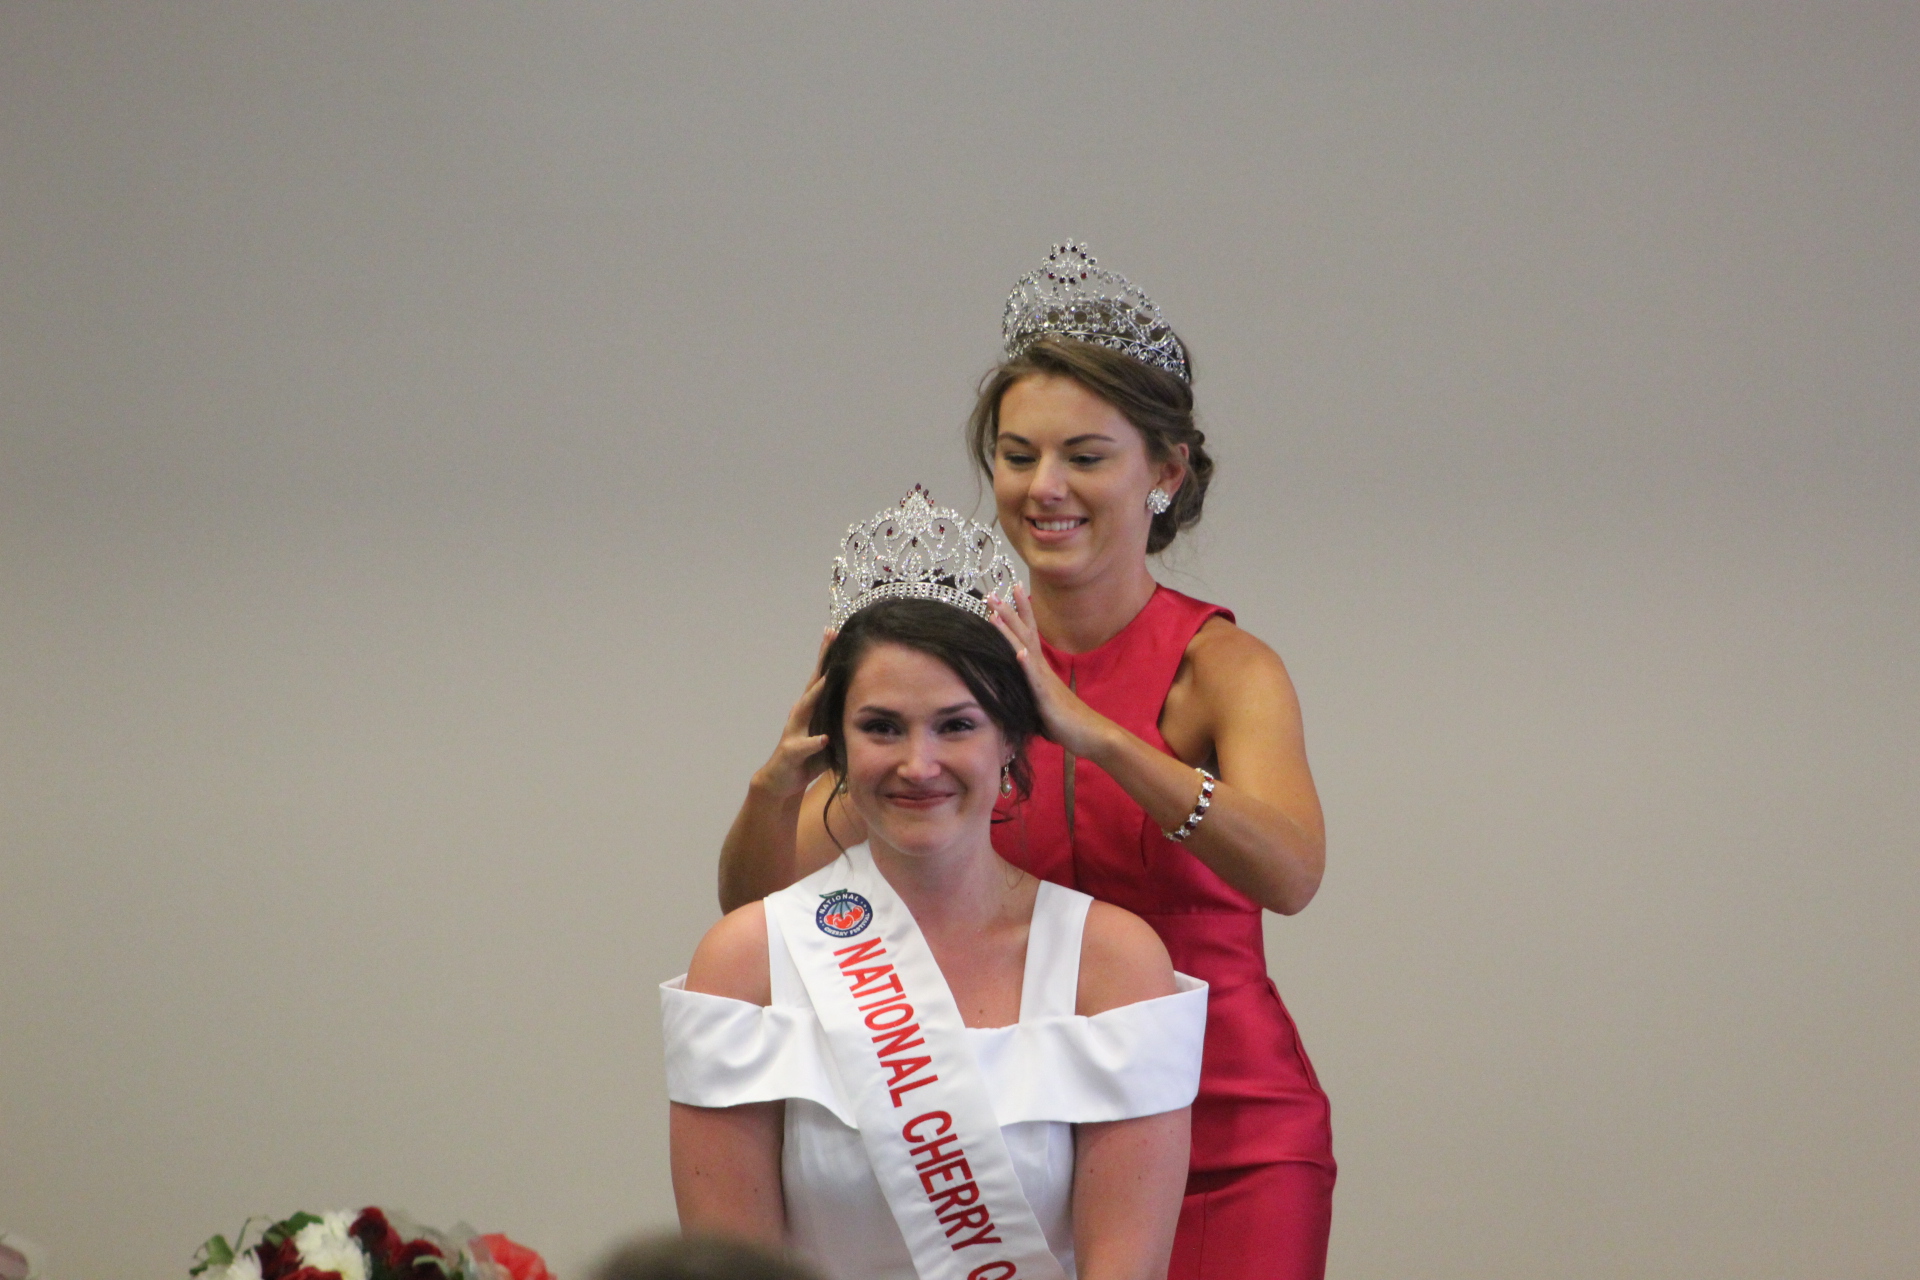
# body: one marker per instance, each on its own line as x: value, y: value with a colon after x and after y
x: 727, y: 1160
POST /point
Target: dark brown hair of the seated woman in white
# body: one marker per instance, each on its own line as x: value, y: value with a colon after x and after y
x: 969, y: 646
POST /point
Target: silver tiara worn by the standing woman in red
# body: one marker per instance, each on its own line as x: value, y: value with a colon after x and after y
x: 1074, y: 298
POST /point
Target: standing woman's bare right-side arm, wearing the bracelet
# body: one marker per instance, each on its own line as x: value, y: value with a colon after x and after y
x: 1264, y: 832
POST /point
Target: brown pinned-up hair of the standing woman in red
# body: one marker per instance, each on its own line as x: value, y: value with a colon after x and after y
x: 1153, y: 400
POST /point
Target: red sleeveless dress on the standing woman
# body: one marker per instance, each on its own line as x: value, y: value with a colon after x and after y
x: 1260, y: 1191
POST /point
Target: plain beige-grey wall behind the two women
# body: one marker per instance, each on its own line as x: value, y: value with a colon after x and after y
x: 425, y: 431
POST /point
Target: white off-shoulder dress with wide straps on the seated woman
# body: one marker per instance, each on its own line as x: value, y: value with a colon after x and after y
x: 1045, y: 1074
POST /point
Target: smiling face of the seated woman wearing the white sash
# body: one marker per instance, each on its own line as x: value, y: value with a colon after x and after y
x: 923, y: 757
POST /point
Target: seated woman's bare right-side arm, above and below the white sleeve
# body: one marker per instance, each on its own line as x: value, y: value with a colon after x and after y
x: 1128, y: 1175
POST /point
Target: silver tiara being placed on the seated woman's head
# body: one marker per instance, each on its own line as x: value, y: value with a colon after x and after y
x: 919, y: 552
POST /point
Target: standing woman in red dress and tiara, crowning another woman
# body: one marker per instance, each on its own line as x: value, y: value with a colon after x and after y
x: 1174, y: 780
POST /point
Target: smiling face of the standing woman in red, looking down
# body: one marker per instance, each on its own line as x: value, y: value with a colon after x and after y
x: 1070, y: 477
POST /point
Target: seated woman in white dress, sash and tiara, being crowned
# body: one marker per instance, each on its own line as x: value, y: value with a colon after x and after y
x: 921, y: 1060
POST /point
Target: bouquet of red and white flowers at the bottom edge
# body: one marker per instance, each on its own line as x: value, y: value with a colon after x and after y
x: 366, y: 1246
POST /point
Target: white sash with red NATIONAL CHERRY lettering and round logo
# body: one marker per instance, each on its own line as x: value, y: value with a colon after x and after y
x: 915, y: 1087
